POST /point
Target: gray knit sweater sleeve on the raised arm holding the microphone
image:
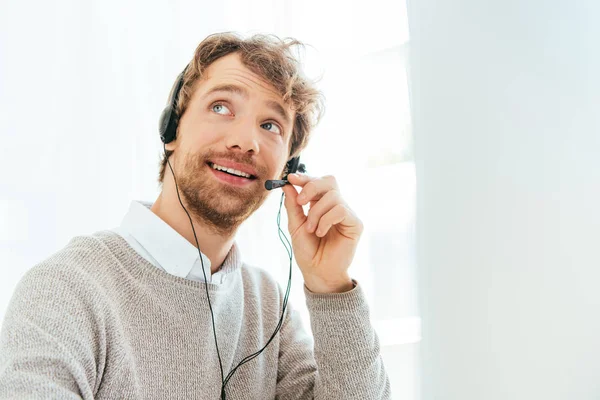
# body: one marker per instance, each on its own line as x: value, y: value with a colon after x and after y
x: 344, y: 361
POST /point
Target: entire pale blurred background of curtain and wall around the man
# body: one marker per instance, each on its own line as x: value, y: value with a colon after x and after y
x: 465, y: 134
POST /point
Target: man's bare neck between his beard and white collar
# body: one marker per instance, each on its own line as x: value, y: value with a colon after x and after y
x: 214, y: 246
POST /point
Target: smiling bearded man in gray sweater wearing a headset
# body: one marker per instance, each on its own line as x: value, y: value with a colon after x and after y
x: 138, y: 312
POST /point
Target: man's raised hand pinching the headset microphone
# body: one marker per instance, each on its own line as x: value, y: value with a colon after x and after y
x: 325, y: 240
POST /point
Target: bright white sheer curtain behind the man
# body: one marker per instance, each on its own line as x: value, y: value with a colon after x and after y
x: 82, y: 84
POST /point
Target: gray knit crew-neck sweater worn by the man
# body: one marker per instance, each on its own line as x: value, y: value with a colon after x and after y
x: 97, y: 321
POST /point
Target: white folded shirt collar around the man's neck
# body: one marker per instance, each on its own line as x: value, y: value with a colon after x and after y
x: 171, y: 250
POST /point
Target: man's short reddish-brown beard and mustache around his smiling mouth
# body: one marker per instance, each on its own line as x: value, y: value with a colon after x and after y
x: 221, y: 206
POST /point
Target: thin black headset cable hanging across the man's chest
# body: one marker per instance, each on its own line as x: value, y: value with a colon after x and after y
x: 285, y: 299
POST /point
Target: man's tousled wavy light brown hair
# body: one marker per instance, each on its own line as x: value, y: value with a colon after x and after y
x: 272, y: 59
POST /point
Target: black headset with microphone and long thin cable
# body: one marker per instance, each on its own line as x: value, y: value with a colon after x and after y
x: 168, y: 130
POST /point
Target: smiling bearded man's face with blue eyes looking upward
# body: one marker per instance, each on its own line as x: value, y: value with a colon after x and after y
x: 235, y: 119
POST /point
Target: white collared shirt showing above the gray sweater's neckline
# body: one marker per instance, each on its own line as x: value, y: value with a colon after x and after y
x: 163, y: 246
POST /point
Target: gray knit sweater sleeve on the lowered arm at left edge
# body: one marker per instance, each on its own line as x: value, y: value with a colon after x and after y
x: 46, y: 349
